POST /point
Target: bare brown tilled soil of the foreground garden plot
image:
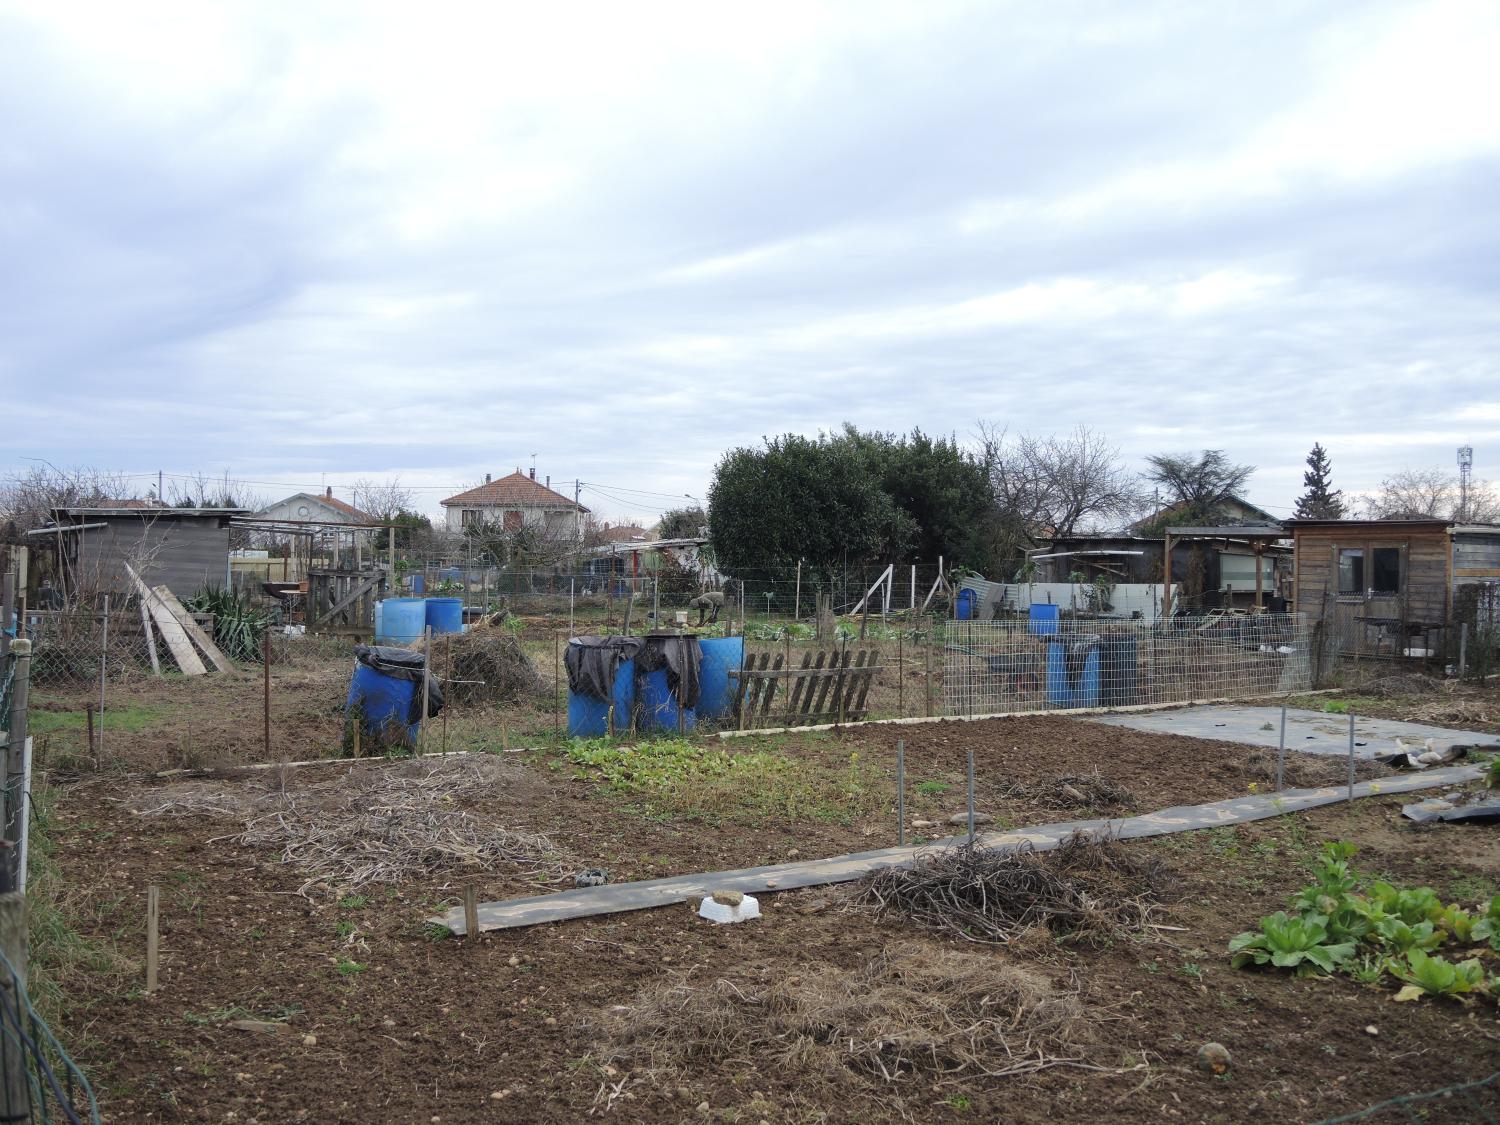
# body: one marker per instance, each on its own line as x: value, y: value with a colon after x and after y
x: 382, y: 1021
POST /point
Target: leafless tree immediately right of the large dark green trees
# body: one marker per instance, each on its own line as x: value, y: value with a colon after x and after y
x: 1058, y: 487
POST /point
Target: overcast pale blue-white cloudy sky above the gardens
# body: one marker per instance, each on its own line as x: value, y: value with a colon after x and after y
x: 316, y: 242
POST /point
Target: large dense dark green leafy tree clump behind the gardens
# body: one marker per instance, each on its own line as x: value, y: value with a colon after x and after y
x: 848, y: 499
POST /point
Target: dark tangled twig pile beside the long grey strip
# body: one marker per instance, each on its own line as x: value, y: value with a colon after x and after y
x: 1085, y: 889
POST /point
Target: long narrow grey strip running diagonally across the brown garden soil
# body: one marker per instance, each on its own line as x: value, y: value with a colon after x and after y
x: 638, y: 896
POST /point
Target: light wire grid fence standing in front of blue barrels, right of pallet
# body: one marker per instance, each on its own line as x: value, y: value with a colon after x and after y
x: 1057, y: 665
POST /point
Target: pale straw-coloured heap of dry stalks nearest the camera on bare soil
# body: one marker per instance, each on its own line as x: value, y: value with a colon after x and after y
x: 911, y: 1012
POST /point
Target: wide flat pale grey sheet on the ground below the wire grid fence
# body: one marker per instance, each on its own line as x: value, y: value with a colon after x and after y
x: 1313, y: 733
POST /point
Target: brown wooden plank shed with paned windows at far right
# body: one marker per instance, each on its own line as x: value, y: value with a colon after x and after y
x: 1387, y: 586
